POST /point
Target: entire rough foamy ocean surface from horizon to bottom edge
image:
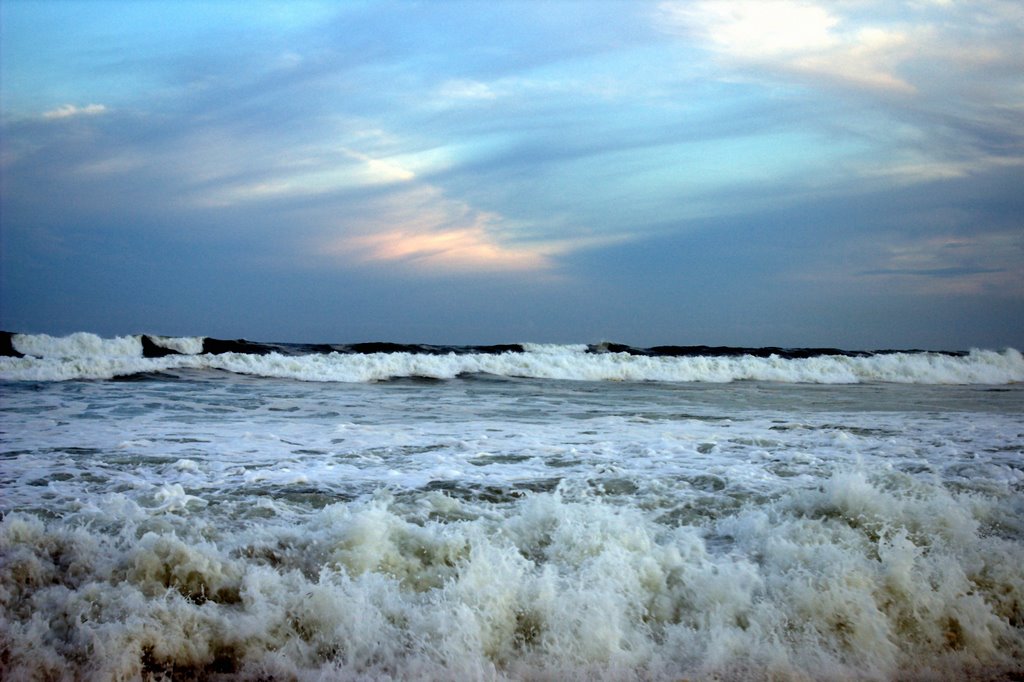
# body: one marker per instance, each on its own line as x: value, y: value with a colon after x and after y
x: 193, y: 508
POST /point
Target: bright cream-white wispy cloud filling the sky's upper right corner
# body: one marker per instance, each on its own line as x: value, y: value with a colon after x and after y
x: 931, y: 91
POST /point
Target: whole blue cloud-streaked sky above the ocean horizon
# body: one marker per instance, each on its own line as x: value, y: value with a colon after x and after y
x: 727, y: 173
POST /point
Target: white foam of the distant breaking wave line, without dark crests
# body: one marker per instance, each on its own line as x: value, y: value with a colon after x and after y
x: 89, y: 357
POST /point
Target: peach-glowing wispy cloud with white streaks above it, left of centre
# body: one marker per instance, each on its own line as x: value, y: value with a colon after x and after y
x: 373, y: 208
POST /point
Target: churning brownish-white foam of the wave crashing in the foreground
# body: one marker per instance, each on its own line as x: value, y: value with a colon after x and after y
x: 870, y: 577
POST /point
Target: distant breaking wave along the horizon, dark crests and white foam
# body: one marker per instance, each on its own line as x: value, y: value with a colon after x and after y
x: 84, y: 356
